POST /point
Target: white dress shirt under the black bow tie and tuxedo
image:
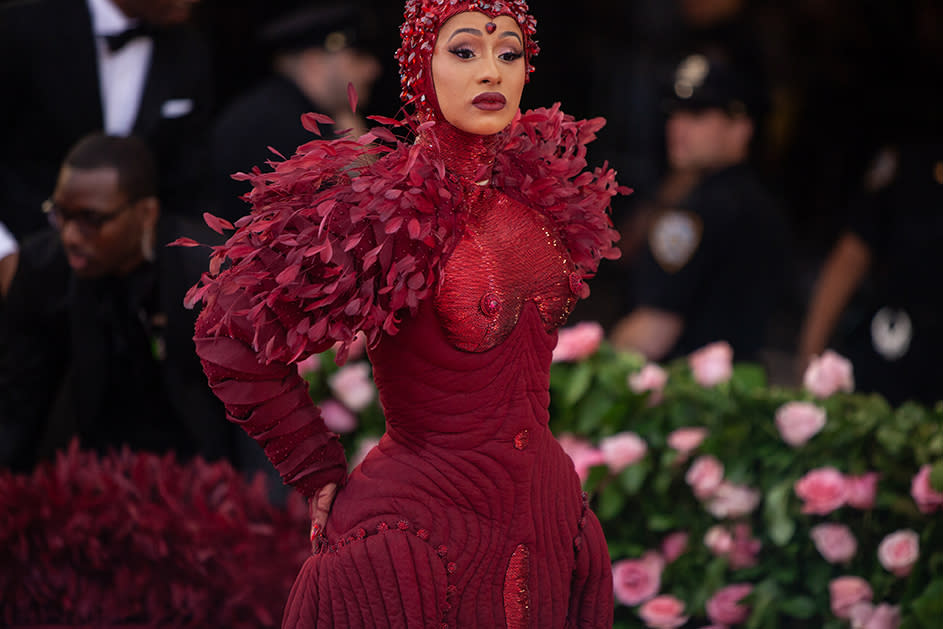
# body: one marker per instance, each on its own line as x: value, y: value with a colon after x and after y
x: 121, y: 74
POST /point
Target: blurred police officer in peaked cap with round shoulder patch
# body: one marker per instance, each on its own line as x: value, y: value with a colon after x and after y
x: 714, y: 267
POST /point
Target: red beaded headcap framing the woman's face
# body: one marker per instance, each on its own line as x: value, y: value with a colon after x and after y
x: 421, y: 26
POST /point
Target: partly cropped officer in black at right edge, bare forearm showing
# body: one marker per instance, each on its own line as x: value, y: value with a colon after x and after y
x: 877, y: 298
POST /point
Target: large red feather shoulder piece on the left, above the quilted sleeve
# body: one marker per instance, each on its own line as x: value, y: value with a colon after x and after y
x: 334, y: 245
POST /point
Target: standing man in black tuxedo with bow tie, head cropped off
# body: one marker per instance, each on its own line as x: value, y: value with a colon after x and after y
x: 71, y: 67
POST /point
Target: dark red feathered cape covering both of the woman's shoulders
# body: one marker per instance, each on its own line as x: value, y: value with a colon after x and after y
x: 335, y: 245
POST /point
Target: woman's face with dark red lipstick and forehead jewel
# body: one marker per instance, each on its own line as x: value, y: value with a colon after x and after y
x: 478, y: 69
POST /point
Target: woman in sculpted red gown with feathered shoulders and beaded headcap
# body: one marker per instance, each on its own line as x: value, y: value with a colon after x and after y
x: 458, y: 256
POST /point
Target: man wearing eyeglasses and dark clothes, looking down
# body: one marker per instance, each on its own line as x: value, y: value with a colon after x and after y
x: 94, y: 339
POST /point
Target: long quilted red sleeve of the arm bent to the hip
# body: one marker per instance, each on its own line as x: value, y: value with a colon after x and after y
x: 270, y: 401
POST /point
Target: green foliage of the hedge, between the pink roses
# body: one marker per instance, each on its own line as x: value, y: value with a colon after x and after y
x: 641, y: 504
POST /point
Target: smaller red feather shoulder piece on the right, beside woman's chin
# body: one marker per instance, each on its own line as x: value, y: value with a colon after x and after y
x: 543, y: 165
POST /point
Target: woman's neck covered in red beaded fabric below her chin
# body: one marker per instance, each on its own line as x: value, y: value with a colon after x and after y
x: 468, y: 156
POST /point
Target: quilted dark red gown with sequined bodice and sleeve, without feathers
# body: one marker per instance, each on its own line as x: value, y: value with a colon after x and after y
x: 468, y: 513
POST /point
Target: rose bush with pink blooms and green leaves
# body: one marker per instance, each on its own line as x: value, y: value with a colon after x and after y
x: 782, y: 497
